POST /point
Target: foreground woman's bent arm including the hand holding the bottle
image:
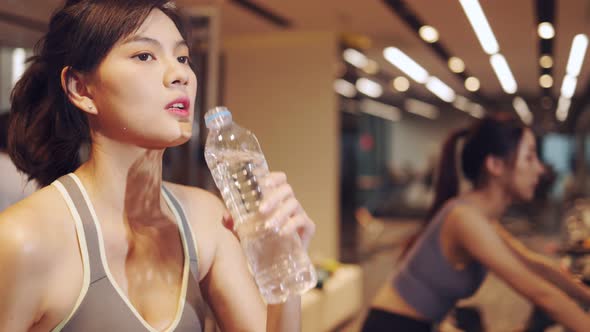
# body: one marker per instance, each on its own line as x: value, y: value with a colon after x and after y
x: 228, y: 285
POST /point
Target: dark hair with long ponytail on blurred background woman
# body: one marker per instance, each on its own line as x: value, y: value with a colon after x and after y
x: 498, y: 135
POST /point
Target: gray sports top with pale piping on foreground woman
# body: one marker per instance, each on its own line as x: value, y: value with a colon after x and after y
x: 101, y: 305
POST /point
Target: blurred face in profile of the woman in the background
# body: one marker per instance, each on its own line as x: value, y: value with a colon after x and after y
x: 527, y: 168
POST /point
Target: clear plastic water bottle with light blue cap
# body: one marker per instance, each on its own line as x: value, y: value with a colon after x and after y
x: 279, y: 263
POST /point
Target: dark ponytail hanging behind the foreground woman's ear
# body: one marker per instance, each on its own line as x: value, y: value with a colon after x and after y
x: 45, y: 130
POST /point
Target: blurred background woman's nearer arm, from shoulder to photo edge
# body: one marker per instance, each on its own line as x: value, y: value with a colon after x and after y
x: 477, y: 236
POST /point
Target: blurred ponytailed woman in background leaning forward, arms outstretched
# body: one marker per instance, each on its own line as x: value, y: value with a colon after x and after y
x: 463, y: 239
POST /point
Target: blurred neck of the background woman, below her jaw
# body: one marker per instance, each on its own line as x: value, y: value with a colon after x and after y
x: 491, y: 200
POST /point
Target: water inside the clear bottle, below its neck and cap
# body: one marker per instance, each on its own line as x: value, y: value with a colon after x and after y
x: 279, y: 263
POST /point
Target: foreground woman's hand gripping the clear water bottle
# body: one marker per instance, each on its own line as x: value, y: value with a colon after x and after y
x: 281, y: 209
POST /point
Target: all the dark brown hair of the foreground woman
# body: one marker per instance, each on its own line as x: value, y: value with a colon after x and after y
x: 46, y: 130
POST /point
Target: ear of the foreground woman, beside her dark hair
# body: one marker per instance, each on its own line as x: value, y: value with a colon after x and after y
x: 76, y: 89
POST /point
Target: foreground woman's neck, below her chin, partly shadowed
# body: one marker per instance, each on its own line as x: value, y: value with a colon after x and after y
x: 125, y: 178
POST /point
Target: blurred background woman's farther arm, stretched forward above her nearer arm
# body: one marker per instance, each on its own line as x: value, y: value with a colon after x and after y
x: 545, y: 268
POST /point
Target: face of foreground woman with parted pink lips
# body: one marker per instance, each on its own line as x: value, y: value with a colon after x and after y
x: 144, y: 90
